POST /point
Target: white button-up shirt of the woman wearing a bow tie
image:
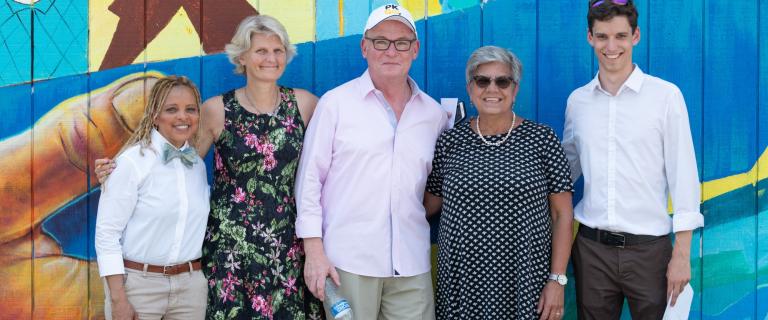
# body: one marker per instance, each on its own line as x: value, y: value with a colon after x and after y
x: 151, y: 212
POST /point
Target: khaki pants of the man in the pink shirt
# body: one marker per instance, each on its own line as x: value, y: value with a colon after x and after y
x: 396, y: 298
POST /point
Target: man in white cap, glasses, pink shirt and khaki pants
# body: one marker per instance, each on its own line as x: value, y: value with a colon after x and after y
x: 360, y: 184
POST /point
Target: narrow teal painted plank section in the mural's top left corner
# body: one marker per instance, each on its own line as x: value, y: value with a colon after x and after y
x: 16, y: 49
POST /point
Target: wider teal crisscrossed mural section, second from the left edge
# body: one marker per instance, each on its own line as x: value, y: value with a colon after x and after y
x: 61, y: 38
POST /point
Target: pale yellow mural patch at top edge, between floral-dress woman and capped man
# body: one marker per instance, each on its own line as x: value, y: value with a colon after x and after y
x: 298, y: 17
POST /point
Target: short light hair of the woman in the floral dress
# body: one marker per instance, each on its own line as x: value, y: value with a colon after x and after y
x: 258, y: 24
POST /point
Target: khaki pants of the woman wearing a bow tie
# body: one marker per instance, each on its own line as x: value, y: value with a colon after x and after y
x: 155, y: 296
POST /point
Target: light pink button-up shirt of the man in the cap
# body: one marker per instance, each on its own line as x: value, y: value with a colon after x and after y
x: 361, y: 179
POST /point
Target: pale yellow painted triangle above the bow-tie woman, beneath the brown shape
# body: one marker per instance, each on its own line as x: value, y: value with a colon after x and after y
x: 178, y: 39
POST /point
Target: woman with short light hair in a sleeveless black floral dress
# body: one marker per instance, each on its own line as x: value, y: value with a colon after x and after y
x: 252, y: 258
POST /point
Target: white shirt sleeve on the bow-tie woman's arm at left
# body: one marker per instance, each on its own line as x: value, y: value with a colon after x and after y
x: 119, y: 195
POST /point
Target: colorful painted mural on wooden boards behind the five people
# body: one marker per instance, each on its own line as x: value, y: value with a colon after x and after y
x: 74, y: 74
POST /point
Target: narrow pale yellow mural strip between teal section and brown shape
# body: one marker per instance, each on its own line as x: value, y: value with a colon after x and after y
x: 101, y: 25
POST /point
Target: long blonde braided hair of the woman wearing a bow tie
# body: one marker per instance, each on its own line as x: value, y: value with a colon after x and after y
x: 160, y: 91
